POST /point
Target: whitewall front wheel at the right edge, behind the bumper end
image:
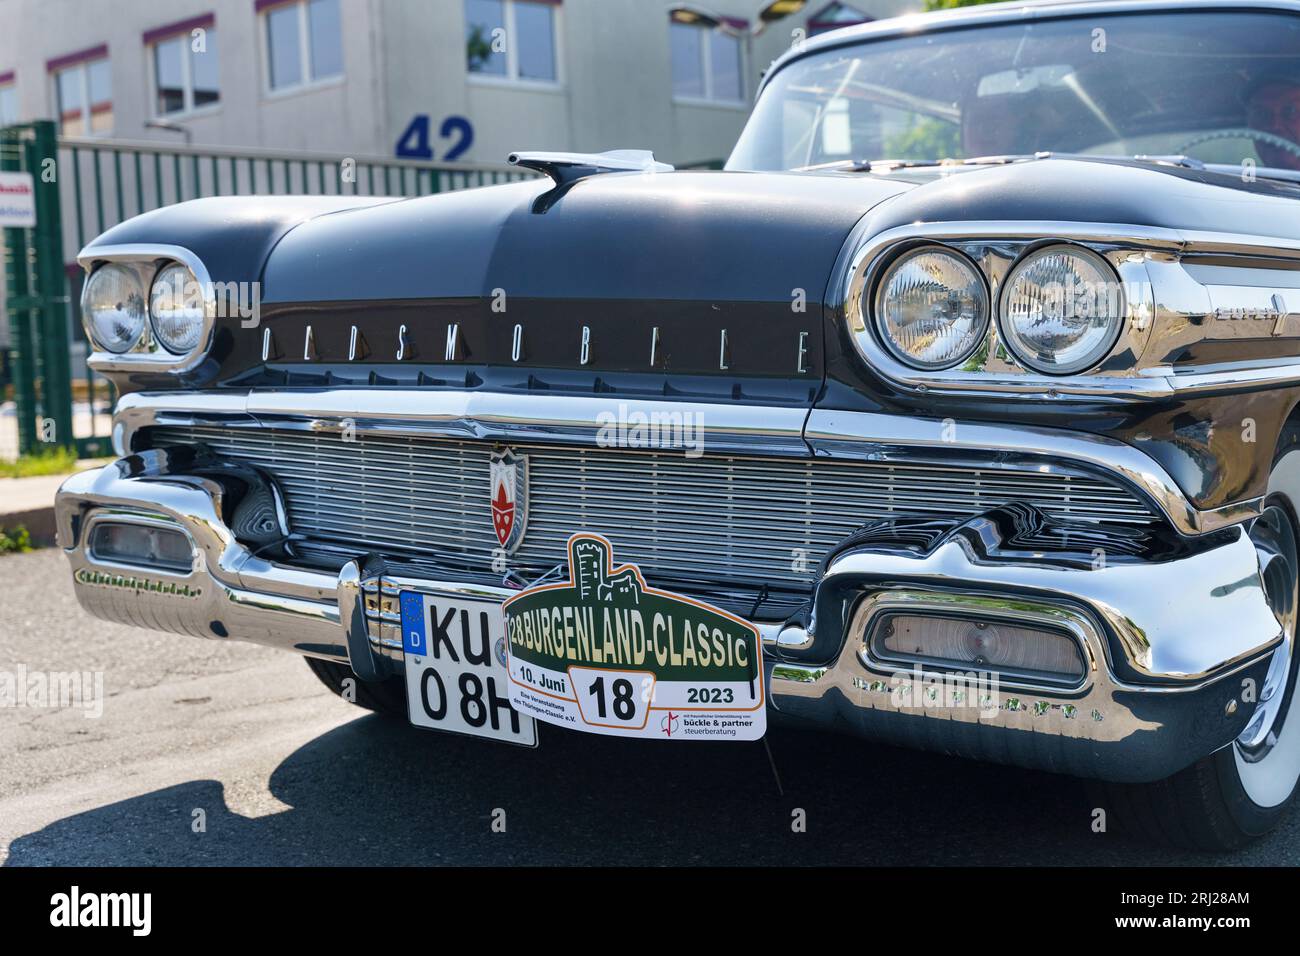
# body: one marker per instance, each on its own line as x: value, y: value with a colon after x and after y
x: 1245, y: 790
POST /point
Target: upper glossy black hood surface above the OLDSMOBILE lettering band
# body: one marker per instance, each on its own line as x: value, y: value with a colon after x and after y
x: 617, y: 236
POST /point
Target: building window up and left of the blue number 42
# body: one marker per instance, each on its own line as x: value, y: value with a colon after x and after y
x: 305, y: 42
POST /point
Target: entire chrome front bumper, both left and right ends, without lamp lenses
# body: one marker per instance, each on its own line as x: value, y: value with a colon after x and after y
x: 1171, y: 646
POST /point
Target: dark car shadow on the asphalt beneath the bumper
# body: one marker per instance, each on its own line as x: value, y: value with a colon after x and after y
x: 376, y: 791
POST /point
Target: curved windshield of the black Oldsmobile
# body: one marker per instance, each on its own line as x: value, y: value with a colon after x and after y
x: 1220, y: 88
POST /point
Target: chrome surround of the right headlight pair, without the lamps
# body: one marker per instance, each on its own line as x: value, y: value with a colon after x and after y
x: 995, y: 248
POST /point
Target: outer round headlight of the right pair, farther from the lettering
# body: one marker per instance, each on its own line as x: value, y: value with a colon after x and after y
x: 1063, y: 310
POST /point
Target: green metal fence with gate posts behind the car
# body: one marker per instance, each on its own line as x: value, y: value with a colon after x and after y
x: 94, y: 185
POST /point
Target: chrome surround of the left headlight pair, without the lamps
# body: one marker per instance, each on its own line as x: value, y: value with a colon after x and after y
x: 149, y: 262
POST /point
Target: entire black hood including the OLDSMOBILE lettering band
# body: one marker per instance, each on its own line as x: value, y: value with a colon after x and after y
x: 697, y: 283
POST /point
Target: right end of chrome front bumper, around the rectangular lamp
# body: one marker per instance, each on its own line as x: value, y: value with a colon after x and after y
x: 1175, y: 654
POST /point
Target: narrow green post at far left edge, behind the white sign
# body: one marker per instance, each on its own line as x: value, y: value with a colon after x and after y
x: 18, y: 262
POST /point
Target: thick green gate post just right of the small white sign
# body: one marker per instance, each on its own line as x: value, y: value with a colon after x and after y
x: 57, y: 386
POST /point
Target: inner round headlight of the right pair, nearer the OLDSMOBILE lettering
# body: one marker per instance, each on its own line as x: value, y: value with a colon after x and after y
x: 931, y: 308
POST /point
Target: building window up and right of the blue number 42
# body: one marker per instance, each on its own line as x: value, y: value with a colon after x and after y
x: 514, y: 40
